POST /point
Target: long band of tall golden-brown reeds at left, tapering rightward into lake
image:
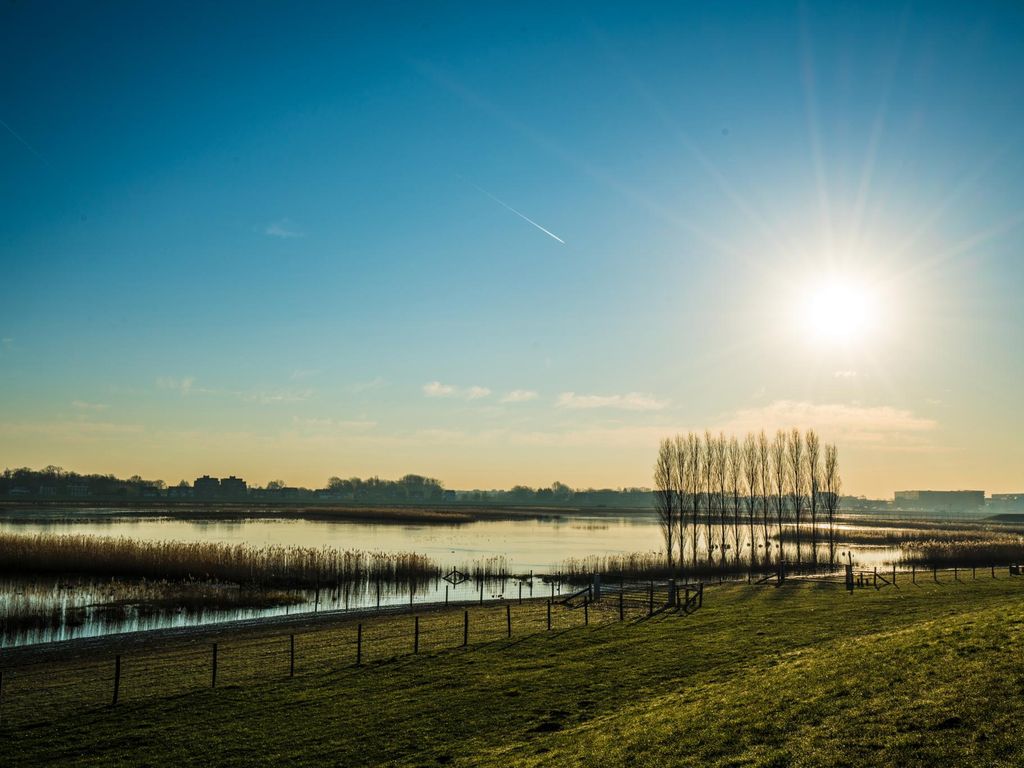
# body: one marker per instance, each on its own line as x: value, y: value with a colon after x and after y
x: 273, y: 566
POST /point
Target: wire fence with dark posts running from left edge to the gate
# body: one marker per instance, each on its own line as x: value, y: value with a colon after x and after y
x: 35, y: 692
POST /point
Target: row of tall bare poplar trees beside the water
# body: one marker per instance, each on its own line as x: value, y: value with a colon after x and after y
x: 708, y: 490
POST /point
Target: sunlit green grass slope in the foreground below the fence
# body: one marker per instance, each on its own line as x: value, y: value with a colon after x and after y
x: 803, y: 675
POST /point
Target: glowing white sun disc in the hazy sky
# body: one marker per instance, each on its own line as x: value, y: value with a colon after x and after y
x: 838, y: 311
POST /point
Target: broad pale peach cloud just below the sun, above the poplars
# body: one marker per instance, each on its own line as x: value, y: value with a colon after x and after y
x: 878, y: 425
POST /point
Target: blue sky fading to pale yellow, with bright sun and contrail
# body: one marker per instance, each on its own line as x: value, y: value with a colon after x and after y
x: 518, y: 243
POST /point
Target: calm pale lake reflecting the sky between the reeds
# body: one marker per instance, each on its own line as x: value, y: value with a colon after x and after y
x: 524, y: 546
